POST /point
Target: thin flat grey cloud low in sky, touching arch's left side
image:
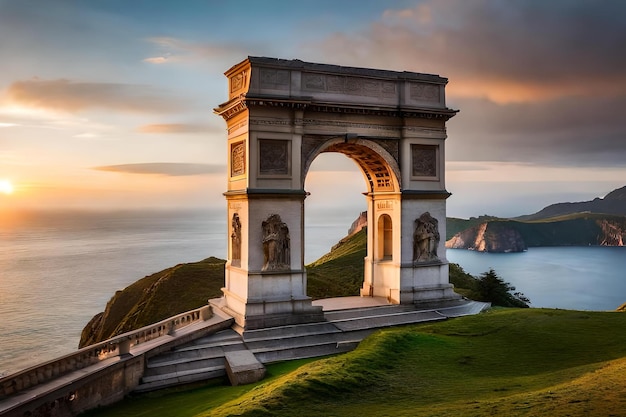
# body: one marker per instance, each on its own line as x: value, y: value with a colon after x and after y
x: 171, y: 169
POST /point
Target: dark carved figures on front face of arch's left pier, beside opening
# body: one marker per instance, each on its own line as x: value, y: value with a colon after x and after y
x: 276, y: 244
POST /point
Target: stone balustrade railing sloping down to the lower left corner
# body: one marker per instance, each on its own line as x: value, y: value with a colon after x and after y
x: 117, y: 346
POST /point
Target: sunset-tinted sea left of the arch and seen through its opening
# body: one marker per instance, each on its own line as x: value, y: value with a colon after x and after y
x: 59, y: 269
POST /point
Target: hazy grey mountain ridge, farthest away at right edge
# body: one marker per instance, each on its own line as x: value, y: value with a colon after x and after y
x: 613, y: 203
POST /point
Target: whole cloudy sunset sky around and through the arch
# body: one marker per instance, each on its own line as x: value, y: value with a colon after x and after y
x: 108, y: 104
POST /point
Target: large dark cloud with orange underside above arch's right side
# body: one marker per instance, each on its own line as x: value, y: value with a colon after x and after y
x: 508, y: 52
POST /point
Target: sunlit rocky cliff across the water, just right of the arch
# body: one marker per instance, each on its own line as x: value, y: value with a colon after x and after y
x: 489, y: 237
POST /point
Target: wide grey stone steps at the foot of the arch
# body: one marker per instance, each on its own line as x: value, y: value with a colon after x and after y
x: 205, y: 358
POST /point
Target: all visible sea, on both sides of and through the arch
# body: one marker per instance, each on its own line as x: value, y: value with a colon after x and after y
x: 59, y: 269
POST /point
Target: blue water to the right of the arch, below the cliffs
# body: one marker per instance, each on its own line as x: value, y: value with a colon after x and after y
x: 578, y: 278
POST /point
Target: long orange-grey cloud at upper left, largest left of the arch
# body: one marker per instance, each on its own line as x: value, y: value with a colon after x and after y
x: 73, y: 96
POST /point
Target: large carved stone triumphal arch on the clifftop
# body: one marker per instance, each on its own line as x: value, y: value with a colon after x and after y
x: 280, y: 115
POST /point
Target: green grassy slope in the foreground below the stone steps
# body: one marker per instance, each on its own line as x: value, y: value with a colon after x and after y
x: 513, y: 362
